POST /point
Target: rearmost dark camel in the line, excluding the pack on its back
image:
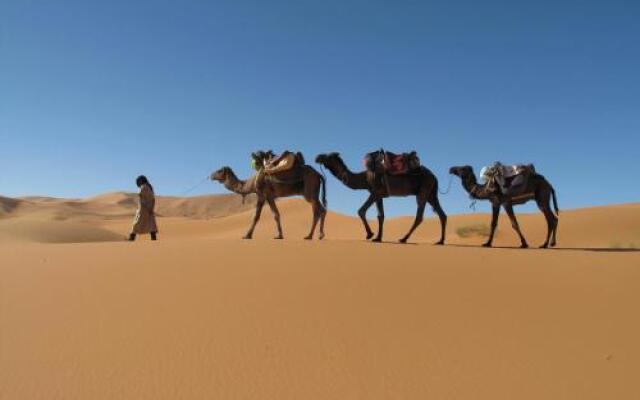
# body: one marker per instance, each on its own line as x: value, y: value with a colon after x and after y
x: 537, y: 188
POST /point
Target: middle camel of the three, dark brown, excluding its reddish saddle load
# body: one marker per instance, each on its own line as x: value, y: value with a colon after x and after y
x: 422, y: 184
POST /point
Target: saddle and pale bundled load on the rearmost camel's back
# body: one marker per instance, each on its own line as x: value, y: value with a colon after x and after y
x: 510, y: 180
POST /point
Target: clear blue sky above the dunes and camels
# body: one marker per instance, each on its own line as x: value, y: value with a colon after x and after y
x: 93, y: 93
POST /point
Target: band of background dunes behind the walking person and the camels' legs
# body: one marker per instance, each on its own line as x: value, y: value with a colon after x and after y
x: 225, y: 217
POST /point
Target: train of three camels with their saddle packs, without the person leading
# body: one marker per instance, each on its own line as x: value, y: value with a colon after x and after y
x: 388, y: 174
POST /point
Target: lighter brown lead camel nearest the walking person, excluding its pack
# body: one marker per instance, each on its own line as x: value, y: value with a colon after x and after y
x: 304, y: 180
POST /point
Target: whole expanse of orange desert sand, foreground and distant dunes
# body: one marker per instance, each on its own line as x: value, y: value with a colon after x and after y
x: 202, y: 314
